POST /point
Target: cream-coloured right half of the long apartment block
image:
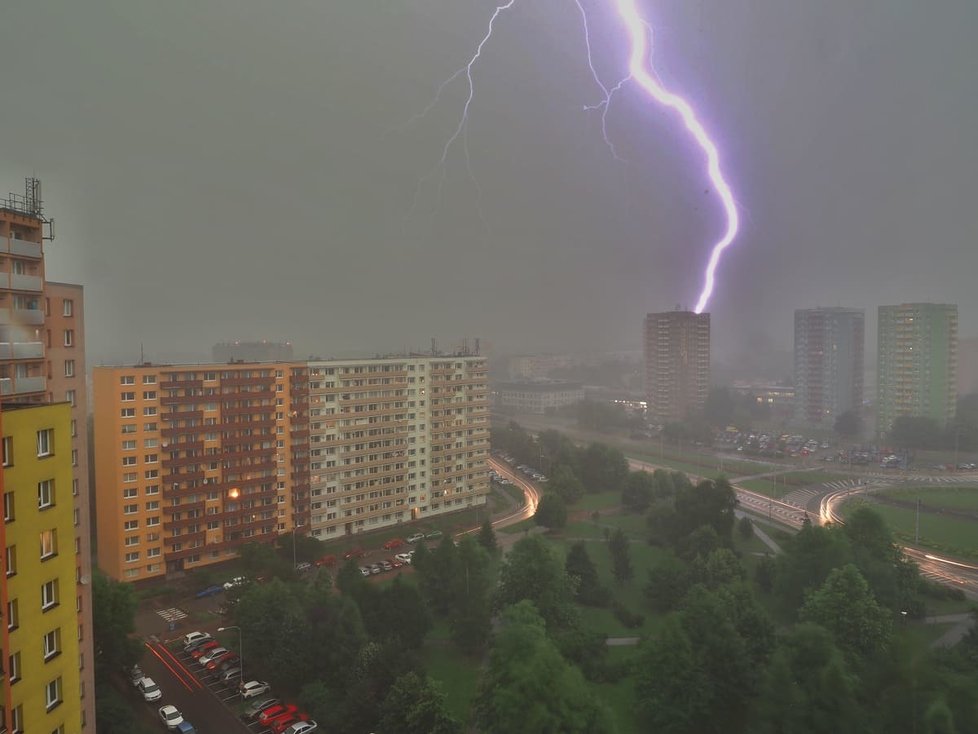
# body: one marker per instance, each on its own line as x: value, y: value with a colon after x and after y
x: 395, y: 440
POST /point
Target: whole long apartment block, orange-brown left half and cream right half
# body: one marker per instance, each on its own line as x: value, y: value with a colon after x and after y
x: 194, y: 461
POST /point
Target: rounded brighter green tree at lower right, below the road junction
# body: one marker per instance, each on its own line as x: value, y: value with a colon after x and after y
x: 845, y: 606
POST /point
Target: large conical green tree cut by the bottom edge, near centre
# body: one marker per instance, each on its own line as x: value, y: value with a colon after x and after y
x: 529, y: 687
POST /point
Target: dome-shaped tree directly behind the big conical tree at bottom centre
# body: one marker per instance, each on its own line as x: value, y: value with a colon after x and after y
x: 531, y: 571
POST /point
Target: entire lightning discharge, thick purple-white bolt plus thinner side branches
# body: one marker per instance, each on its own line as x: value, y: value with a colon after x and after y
x: 643, y: 74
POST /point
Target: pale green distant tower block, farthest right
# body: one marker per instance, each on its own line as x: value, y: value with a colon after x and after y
x: 916, y: 363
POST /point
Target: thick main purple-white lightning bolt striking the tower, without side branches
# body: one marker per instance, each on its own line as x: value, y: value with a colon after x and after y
x: 642, y: 74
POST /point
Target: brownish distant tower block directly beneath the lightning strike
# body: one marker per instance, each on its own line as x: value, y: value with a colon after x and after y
x: 677, y: 364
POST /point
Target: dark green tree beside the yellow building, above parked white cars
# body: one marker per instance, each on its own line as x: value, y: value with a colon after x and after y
x: 113, y: 620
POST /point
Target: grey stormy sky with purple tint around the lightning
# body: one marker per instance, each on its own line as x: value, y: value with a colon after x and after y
x: 239, y: 168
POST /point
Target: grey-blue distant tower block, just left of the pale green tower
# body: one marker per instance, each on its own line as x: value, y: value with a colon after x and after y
x: 829, y: 356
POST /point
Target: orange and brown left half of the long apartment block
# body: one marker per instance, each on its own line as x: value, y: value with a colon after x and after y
x: 191, y: 462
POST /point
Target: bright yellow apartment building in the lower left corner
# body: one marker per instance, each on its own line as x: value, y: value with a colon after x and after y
x: 40, y: 591
